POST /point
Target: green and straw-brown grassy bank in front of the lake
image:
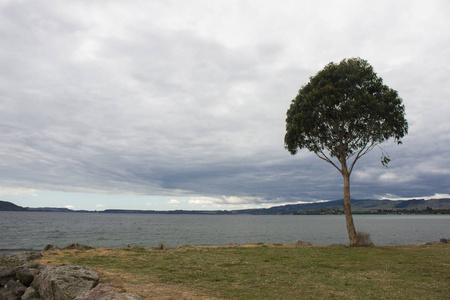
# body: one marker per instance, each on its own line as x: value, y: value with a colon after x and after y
x: 271, y: 272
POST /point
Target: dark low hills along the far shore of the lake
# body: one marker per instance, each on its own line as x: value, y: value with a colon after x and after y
x: 368, y: 206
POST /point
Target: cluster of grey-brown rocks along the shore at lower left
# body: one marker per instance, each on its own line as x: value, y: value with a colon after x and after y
x: 21, y: 278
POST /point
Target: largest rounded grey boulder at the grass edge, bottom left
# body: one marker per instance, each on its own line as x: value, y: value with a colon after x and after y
x: 65, y: 282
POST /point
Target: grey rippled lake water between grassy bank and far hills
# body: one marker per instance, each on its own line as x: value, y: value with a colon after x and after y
x: 34, y: 230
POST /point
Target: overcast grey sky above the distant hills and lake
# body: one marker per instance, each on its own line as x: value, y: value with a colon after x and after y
x: 182, y: 104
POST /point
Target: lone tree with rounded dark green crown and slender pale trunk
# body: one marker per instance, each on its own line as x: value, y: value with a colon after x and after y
x: 341, y: 114
